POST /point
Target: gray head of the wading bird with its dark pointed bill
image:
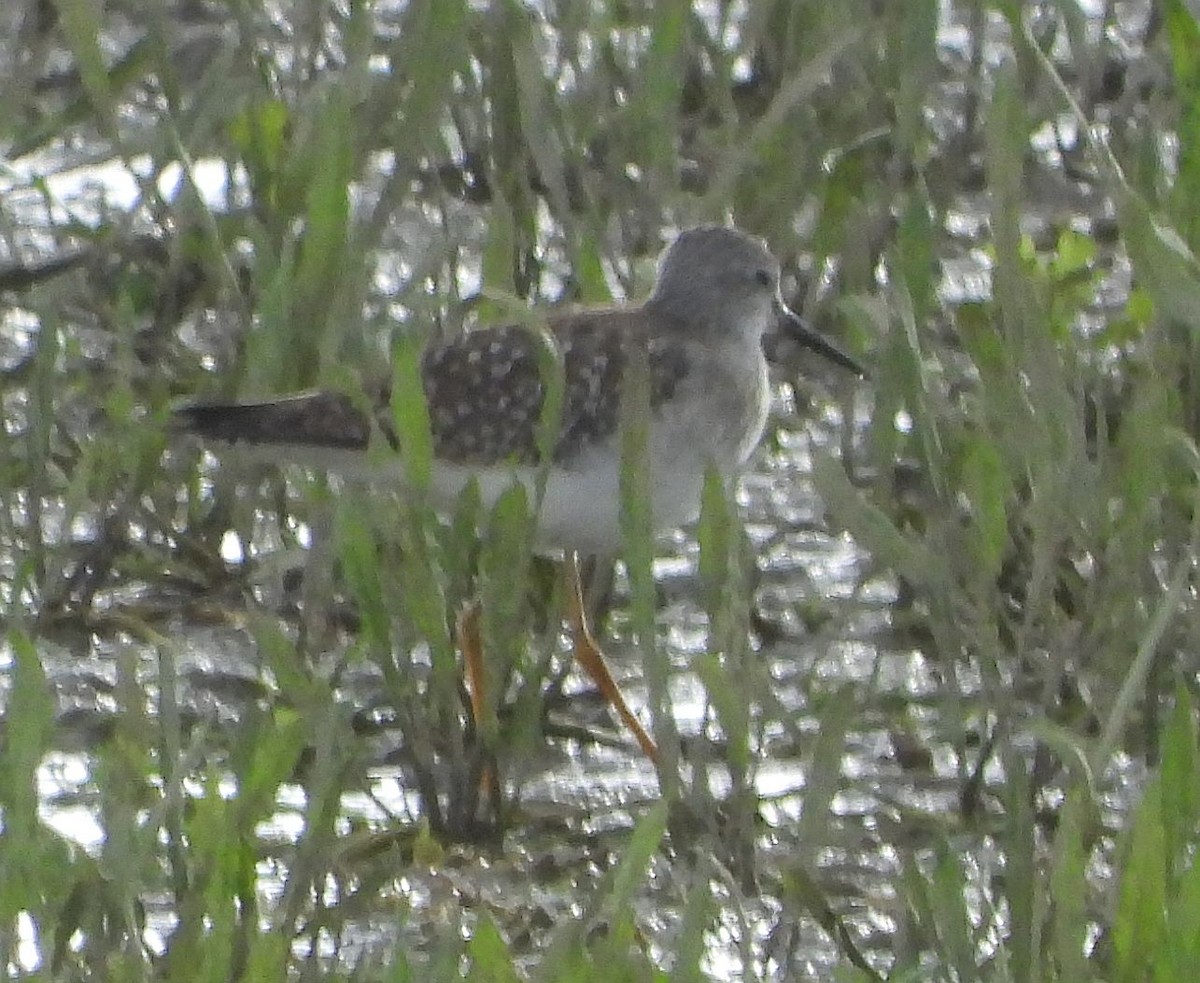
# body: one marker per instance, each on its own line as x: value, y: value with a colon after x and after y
x: 724, y: 286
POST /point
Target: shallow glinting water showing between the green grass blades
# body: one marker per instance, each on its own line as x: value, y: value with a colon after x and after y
x: 839, y: 632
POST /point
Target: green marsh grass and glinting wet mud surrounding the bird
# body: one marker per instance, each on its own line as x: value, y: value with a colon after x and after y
x: 941, y: 728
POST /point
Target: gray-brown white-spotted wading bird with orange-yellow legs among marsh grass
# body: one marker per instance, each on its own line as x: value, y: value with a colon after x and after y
x: 699, y: 343
